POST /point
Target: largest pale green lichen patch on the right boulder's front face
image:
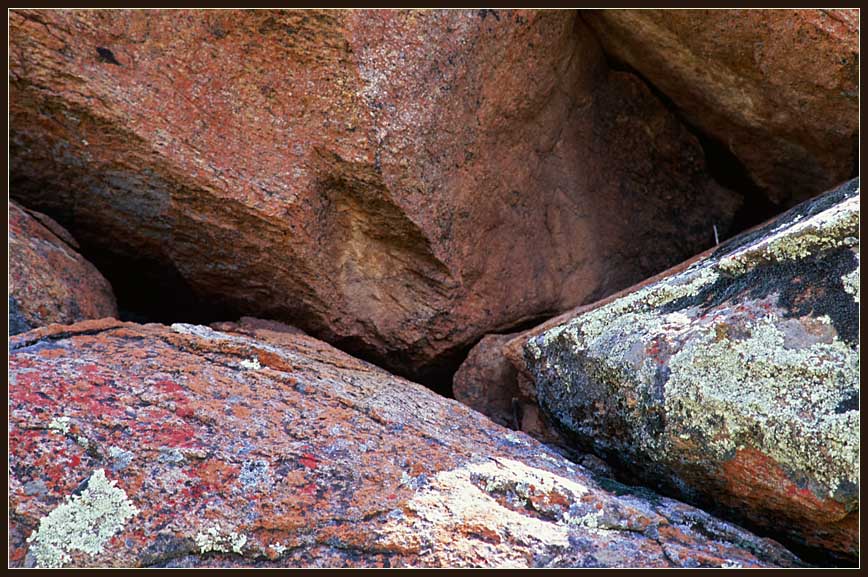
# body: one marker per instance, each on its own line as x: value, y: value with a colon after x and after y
x: 725, y: 390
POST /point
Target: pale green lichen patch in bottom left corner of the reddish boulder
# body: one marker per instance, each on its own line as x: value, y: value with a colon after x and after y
x: 84, y: 522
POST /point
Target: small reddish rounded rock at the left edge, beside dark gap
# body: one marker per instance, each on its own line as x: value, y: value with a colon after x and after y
x: 49, y: 282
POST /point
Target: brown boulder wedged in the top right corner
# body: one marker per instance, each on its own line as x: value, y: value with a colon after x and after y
x: 777, y: 88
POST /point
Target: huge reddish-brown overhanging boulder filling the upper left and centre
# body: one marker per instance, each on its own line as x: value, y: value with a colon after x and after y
x: 373, y: 177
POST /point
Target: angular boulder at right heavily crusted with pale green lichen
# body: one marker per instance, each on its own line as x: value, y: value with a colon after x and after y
x: 734, y: 383
